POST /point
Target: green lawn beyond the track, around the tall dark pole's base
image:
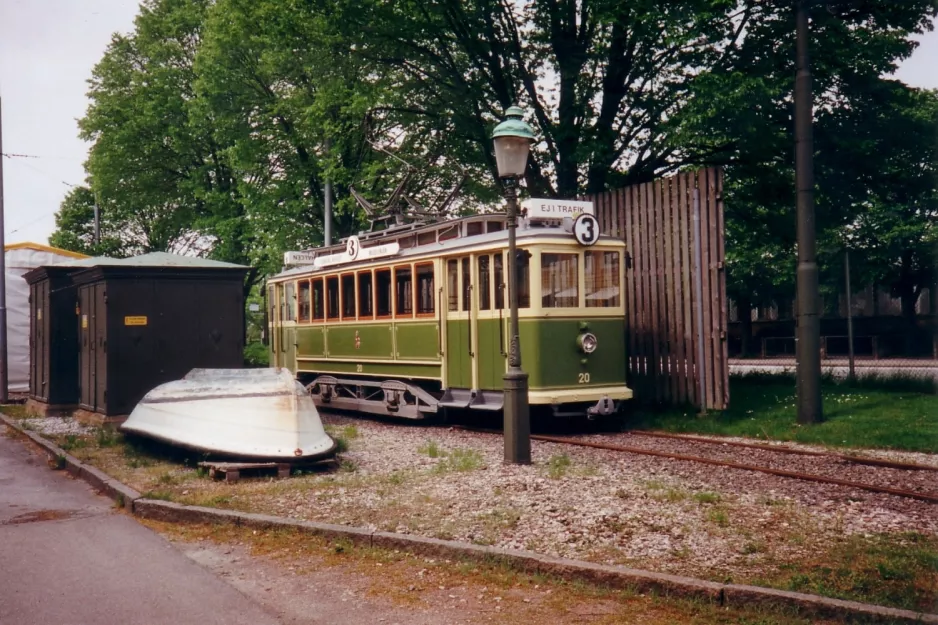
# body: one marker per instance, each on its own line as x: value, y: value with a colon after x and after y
x: 854, y: 415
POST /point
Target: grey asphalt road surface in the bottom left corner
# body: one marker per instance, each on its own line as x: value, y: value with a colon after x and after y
x: 67, y: 557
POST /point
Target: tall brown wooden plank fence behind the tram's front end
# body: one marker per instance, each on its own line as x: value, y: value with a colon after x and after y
x: 675, y: 313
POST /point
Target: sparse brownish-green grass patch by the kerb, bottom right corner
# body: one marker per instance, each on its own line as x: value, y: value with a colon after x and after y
x: 895, y: 570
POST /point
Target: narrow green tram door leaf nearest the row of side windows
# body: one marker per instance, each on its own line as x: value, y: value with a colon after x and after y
x: 460, y: 350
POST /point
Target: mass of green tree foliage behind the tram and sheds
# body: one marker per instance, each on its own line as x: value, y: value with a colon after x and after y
x: 215, y: 123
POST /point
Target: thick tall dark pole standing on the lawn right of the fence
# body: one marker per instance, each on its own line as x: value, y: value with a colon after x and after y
x: 809, y: 328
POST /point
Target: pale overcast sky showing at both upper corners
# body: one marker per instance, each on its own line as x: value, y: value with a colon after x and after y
x: 47, y: 51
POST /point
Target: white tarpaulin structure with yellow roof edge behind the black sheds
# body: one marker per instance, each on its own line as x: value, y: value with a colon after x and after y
x: 20, y: 258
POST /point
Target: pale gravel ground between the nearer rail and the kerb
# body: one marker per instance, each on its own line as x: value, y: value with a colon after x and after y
x: 674, y: 516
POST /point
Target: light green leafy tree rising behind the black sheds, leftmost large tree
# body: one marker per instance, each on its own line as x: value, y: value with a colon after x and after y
x: 154, y: 165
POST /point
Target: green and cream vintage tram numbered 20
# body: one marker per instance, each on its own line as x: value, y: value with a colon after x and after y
x: 412, y: 321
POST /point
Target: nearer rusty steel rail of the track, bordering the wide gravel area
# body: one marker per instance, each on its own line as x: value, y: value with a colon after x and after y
x: 927, y: 497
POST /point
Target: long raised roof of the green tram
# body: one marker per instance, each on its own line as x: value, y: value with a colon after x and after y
x: 526, y: 230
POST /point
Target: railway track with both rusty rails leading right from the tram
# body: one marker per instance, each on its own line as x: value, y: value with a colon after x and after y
x: 927, y: 496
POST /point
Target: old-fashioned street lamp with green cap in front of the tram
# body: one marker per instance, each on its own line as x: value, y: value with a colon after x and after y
x: 513, y: 138
